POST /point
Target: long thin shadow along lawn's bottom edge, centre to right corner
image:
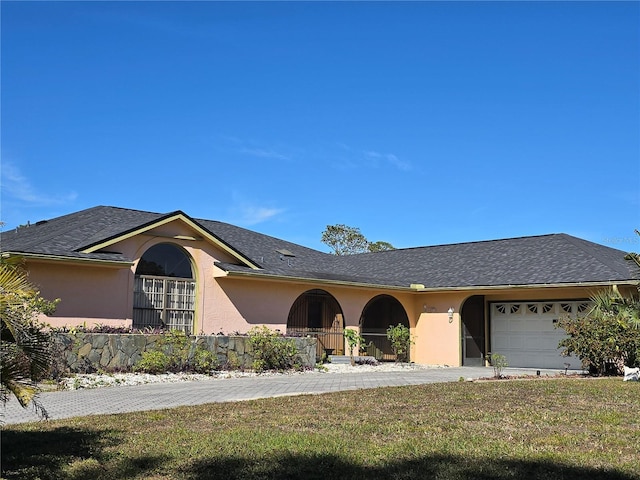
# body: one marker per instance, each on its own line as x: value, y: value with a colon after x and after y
x: 442, y: 467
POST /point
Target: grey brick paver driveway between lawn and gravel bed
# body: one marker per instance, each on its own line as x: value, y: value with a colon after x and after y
x: 112, y: 400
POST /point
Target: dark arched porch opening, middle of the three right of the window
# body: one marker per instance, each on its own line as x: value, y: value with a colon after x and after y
x: 380, y: 313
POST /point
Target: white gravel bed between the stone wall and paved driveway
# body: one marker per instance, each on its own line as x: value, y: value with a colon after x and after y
x: 95, y: 380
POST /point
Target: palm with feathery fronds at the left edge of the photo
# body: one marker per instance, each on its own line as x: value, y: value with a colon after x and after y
x: 25, y: 354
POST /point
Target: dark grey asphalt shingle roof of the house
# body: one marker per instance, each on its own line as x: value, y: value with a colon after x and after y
x: 536, y: 260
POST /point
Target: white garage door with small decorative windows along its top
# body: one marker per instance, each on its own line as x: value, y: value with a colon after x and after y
x: 526, y: 334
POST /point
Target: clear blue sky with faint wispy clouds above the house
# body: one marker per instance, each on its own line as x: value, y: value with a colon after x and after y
x: 420, y: 123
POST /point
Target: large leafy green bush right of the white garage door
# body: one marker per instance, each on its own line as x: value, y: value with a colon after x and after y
x: 607, y: 337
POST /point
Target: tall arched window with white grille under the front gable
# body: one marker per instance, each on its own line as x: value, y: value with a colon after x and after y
x: 164, y: 290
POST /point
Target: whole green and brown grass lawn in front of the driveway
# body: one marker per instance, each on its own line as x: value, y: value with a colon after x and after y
x: 546, y: 429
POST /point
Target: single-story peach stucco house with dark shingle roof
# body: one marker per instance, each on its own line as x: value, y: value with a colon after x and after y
x: 125, y: 267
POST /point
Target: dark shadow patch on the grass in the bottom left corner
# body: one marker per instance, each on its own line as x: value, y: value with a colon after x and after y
x: 67, y: 452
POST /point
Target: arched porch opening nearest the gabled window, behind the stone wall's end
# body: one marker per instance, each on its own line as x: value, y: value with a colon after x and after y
x: 318, y: 313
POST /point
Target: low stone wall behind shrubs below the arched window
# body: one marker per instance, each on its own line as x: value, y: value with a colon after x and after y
x: 83, y: 352
